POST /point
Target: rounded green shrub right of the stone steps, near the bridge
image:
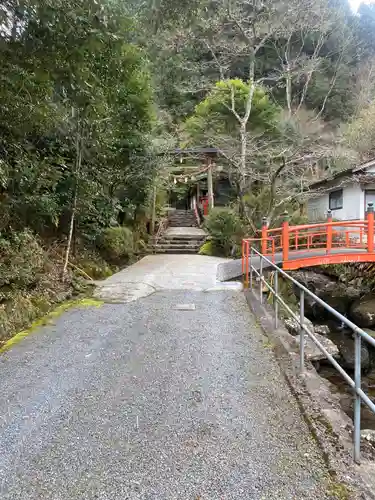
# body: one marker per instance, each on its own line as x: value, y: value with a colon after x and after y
x: 225, y: 229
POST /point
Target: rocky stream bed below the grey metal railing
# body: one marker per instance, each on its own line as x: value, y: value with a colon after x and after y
x: 347, y: 289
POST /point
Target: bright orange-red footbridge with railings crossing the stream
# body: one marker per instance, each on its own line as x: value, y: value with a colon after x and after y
x: 329, y: 242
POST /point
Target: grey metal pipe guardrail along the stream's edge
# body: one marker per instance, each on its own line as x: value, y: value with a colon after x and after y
x: 359, y: 334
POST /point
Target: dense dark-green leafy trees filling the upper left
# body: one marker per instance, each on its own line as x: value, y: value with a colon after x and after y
x: 72, y: 73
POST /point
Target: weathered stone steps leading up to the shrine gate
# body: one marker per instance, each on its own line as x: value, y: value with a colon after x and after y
x: 182, y: 235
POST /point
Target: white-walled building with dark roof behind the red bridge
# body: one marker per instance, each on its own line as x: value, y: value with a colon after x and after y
x: 346, y: 194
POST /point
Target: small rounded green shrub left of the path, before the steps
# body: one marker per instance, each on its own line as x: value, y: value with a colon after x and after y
x: 117, y: 243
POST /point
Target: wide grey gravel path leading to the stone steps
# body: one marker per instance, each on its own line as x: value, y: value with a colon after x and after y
x: 173, y: 396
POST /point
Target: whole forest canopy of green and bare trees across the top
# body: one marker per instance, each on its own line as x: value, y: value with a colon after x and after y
x: 93, y: 94
